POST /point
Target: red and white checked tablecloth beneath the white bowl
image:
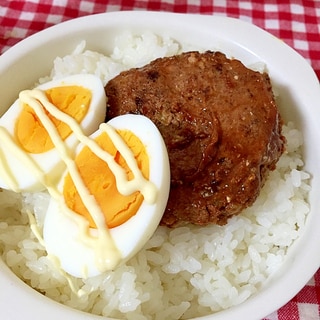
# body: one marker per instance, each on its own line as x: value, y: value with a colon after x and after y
x: 296, y: 22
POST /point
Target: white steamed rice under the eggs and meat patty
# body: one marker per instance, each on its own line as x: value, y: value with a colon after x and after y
x: 181, y: 273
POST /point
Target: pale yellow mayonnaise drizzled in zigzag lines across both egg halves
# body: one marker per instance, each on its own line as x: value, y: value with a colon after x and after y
x: 106, y: 253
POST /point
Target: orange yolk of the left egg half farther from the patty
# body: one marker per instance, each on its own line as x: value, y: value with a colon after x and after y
x: 32, y: 135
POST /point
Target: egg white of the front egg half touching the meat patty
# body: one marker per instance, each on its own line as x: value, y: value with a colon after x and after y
x: 61, y: 233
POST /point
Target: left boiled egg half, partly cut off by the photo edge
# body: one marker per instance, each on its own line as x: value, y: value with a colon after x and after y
x: 39, y: 126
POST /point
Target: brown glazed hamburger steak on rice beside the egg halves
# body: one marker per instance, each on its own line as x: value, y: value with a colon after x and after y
x: 221, y: 126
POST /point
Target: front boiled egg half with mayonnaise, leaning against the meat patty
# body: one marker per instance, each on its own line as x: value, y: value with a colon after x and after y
x: 112, y: 202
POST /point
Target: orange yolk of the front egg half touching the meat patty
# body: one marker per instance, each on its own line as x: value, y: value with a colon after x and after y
x: 101, y: 182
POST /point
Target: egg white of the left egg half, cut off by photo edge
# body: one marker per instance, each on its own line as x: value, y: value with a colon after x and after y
x: 49, y: 163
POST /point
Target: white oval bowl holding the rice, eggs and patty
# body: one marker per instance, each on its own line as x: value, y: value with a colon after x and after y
x: 298, y: 86
